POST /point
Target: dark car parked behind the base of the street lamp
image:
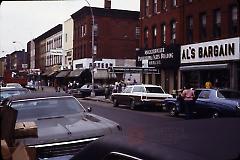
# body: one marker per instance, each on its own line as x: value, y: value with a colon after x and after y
x: 86, y: 90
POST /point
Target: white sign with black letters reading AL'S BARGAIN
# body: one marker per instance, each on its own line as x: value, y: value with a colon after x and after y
x: 221, y: 50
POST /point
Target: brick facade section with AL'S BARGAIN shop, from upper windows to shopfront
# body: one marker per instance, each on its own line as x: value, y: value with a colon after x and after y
x: 210, y: 50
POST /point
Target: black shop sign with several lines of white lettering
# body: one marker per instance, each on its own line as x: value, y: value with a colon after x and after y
x: 165, y: 56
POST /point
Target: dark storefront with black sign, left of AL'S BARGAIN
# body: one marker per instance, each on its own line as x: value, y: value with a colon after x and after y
x: 167, y: 60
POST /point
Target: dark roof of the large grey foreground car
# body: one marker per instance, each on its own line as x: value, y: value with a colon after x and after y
x: 37, y: 95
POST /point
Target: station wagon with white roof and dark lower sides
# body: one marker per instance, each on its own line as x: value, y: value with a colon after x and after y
x: 141, y: 95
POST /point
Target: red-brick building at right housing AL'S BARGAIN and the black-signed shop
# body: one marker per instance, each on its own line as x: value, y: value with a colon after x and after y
x: 170, y: 27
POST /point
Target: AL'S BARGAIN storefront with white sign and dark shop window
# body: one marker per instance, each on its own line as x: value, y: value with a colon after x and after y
x: 214, y: 61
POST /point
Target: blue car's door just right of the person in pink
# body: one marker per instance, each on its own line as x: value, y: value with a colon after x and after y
x: 202, y: 104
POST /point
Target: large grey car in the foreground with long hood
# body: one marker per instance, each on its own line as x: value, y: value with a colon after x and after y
x: 64, y: 125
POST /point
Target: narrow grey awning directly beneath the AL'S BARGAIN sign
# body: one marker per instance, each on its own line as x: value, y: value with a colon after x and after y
x: 203, y: 67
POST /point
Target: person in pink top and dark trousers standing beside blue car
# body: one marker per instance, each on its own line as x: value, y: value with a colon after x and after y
x: 188, y: 101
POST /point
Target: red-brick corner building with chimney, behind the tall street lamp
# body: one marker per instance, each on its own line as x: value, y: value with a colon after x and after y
x: 116, y: 37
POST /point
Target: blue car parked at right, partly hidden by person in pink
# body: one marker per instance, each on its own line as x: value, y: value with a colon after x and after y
x: 209, y: 102
